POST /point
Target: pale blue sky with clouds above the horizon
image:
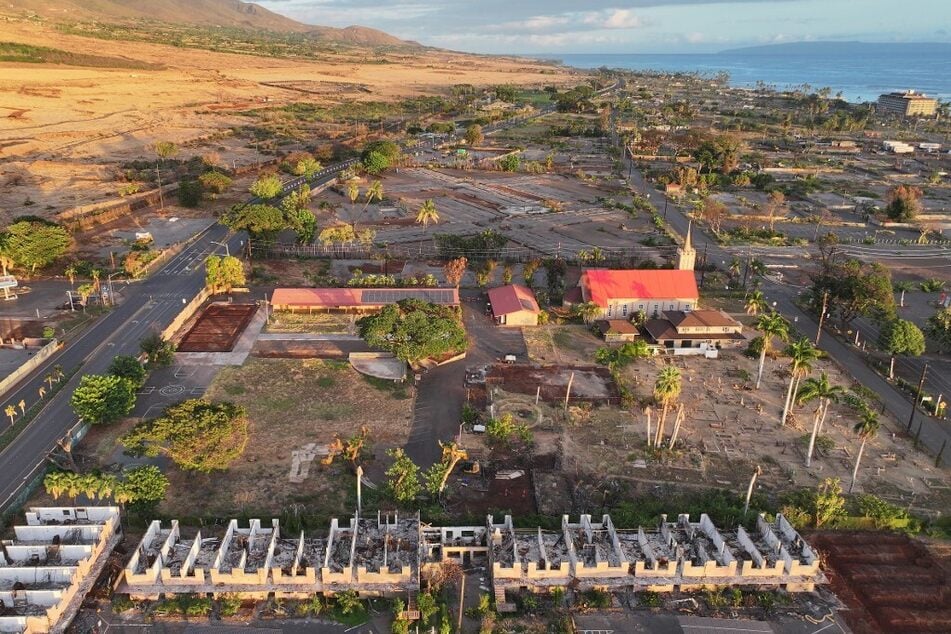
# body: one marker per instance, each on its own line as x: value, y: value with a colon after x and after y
x: 632, y: 26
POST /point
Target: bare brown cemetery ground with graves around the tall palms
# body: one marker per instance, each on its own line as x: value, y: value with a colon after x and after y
x: 729, y: 428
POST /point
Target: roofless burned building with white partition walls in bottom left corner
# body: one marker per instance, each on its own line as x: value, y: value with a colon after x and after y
x: 51, y: 563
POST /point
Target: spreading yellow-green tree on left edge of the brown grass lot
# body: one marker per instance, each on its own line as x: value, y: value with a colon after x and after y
x: 196, y: 434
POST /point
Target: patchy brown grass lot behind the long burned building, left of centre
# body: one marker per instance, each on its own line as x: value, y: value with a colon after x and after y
x: 291, y: 403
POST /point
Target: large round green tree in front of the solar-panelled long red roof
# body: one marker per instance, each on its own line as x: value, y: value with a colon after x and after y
x: 414, y: 330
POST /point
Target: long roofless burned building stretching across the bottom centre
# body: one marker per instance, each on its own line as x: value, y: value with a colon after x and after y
x: 389, y: 555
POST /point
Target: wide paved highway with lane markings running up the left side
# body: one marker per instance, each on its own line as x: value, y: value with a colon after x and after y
x: 150, y: 305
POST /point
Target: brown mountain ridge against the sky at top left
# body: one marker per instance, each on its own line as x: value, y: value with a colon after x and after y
x: 211, y: 13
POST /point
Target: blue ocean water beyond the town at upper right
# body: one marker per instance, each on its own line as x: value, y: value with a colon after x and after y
x: 860, y: 75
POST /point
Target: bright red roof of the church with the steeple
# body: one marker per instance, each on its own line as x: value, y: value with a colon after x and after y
x: 604, y: 285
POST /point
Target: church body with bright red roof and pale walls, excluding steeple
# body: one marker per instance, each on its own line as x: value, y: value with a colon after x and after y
x: 621, y: 293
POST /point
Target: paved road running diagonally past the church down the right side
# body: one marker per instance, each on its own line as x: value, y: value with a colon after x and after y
x: 933, y: 433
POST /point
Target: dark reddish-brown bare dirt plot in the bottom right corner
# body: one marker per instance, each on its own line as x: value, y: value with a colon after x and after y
x: 890, y: 583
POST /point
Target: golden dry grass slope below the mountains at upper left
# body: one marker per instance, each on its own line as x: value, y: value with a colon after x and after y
x: 70, y: 127
